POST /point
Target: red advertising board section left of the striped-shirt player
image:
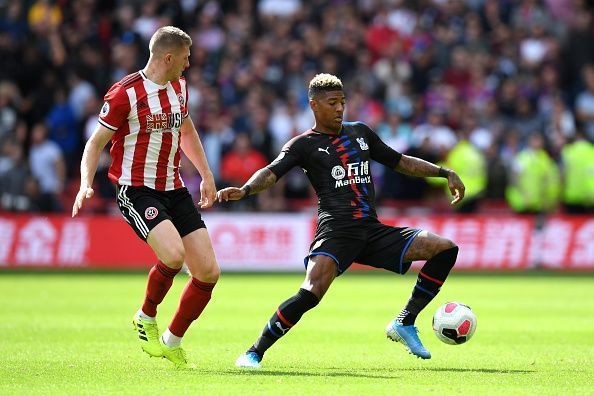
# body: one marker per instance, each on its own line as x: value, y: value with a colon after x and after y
x: 59, y: 241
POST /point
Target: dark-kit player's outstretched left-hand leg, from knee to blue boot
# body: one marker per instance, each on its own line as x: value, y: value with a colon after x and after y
x: 321, y: 271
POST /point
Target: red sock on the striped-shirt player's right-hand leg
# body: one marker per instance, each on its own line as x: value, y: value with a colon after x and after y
x: 194, y: 298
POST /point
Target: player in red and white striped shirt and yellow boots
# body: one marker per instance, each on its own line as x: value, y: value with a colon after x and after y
x: 146, y: 117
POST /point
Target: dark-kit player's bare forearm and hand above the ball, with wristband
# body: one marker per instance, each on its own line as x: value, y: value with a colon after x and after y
x: 413, y: 166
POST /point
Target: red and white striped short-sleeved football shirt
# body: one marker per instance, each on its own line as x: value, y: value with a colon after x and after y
x: 146, y: 118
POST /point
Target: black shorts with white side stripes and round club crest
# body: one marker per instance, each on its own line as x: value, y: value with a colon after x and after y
x: 143, y: 208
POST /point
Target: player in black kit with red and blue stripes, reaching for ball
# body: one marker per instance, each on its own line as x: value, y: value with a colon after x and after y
x: 335, y: 156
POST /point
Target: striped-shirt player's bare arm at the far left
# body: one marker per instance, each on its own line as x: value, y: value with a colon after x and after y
x: 88, y: 165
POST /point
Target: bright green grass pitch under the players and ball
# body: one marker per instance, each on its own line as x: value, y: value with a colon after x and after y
x: 71, y: 334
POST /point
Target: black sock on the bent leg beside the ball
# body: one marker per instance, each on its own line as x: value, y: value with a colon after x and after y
x: 431, y: 277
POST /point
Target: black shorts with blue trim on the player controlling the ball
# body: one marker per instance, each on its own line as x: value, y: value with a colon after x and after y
x: 368, y: 242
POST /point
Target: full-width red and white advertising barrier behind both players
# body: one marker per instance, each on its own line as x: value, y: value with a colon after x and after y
x: 278, y: 242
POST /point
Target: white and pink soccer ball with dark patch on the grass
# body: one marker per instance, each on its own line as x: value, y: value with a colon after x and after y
x: 454, y: 323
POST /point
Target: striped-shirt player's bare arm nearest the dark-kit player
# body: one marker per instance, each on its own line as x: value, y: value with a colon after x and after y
x: 192, y: 147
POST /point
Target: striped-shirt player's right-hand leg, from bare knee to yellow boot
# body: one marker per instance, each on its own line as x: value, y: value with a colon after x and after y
x: 204, y: 272
